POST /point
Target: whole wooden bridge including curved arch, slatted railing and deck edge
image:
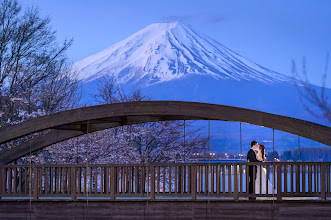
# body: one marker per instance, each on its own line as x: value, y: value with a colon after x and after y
x: 189, y: 190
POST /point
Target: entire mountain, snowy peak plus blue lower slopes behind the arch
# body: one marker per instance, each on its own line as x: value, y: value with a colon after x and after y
x: 172, y: 61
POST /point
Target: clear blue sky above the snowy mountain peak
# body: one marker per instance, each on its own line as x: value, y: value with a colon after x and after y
x: 270, y: 33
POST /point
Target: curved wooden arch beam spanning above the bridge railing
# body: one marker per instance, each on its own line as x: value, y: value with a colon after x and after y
x: 68, y: 124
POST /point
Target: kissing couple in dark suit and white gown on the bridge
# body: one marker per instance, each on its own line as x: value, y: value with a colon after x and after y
x: 257, y: 154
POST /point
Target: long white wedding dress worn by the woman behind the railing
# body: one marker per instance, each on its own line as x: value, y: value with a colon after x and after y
x: 262, y: 174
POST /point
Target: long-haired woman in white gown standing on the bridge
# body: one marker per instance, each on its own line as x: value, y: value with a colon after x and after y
x: 260, y: 155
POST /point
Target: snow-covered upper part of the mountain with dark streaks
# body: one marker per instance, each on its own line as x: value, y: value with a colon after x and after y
x: 163, y: 52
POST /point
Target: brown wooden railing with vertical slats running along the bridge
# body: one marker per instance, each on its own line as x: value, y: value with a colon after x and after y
x: 155, y: 181
